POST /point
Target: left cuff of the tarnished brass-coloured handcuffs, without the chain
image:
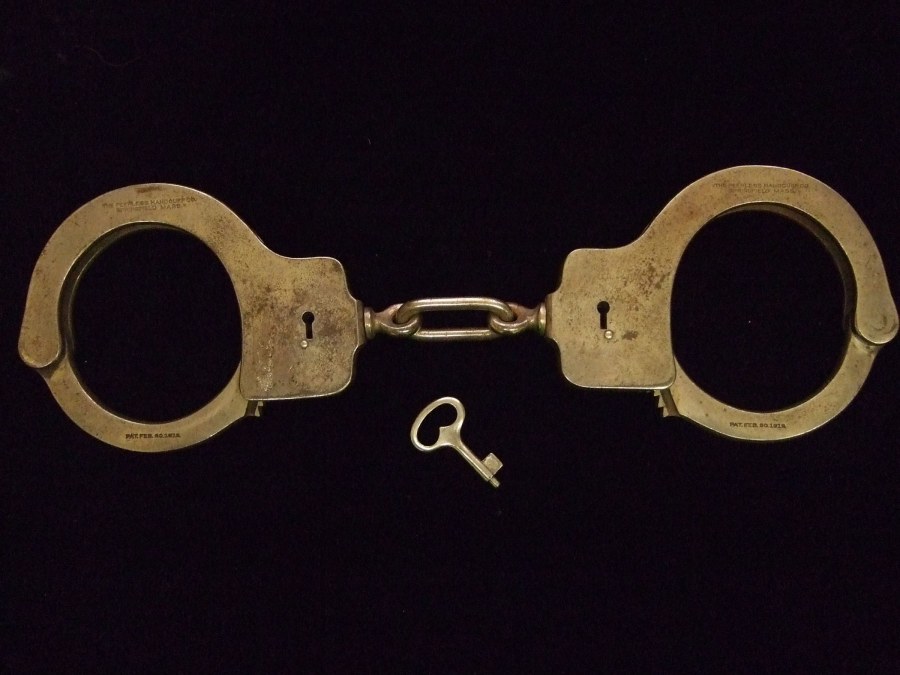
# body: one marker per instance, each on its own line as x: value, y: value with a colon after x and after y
x: 273, y: 292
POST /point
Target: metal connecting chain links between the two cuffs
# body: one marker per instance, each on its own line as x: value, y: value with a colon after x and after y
x: 504, y: 318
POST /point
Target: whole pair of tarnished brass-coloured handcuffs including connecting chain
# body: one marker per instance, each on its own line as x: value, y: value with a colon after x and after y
x: 610, y: 316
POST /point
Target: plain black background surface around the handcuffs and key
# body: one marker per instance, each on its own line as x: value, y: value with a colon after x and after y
x: 447, y: 153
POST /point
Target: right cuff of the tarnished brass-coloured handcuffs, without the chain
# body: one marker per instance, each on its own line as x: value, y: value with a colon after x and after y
x: 634, y: 349
